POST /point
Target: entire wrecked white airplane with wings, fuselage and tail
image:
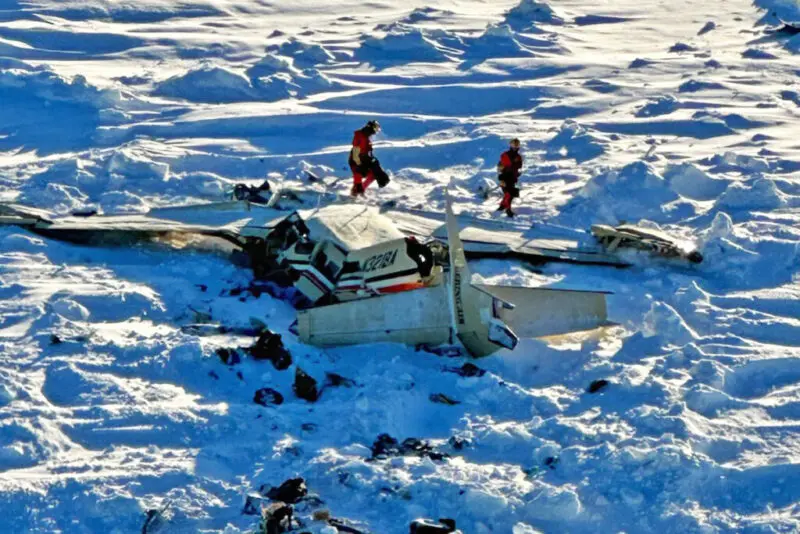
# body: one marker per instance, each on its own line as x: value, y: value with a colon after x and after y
x: 365, y: 275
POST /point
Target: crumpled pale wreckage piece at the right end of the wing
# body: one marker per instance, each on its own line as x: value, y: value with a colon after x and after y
x: 612, y: 238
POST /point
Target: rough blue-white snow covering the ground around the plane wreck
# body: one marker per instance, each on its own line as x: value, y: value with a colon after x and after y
x: 684, y: 114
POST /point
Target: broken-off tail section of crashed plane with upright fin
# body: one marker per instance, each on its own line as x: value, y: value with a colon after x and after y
x: 483, y: 318
